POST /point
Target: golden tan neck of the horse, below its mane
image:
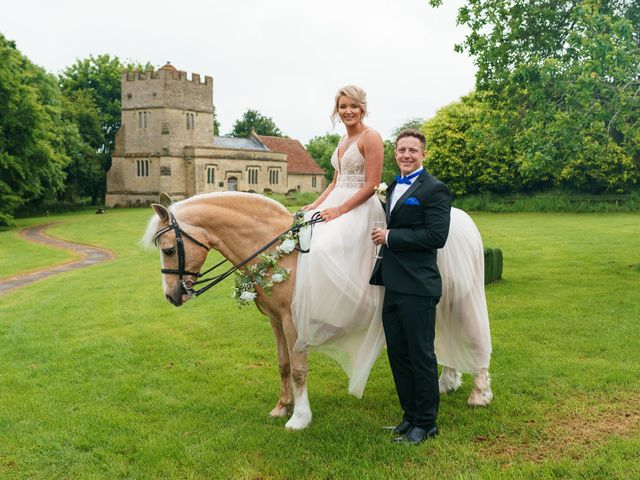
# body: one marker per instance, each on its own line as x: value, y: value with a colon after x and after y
x: 238, y: 229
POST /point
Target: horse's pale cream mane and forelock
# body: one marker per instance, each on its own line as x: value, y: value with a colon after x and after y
x: 233, y: 199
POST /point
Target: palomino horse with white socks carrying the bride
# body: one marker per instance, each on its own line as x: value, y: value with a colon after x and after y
x: 238, y: 224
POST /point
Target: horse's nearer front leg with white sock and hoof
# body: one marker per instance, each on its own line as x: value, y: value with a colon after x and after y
x: 301, y: 409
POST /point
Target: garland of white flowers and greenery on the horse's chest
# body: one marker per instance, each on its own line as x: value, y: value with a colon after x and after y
x: 267, y: 271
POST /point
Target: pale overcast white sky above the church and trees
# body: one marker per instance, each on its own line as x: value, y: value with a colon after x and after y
x: 285, y: 58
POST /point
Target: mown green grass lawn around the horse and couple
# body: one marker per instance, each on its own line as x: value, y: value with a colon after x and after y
x: 101, y: 378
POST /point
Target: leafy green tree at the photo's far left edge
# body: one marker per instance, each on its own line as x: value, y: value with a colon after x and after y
x: 32, y: 132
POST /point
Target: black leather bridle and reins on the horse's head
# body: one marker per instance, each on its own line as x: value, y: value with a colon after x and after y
x: 187, y: 284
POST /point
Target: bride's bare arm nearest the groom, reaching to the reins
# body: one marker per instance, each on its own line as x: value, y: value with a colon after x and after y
x: 373, y: 152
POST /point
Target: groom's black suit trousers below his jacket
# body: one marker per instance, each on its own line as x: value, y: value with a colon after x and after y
x: 409, y: 328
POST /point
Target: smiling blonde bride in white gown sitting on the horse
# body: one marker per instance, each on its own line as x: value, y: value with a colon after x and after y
x: 335, y: 309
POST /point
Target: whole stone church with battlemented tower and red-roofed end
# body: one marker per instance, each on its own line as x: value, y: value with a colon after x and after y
x: 166, y: 144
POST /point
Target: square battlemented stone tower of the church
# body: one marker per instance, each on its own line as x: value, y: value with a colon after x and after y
x: 162, y: 113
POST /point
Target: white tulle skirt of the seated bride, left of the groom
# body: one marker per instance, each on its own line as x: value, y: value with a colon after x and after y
x: 334, y: 308
